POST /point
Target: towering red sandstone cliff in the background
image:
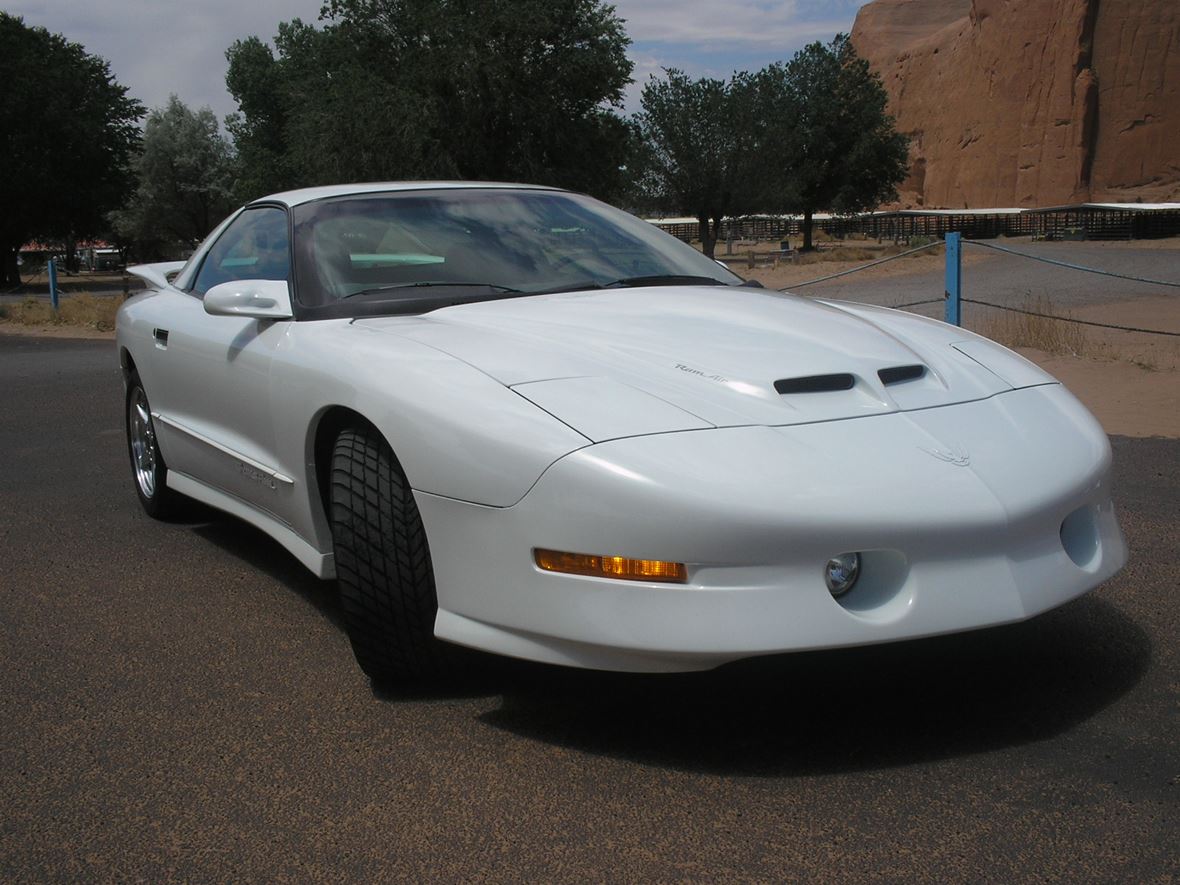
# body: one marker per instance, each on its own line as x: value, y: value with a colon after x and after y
x: 1026, y: 103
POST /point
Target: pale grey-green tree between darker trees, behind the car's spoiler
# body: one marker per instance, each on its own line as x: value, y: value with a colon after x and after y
x: 185, y: 173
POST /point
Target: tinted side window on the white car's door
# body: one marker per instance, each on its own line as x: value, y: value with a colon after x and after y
x: 254, y: 247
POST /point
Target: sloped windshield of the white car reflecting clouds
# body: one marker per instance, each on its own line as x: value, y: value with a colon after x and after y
x: 417, y: 251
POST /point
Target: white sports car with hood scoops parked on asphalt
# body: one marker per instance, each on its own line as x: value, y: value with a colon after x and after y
x: 516, y: 419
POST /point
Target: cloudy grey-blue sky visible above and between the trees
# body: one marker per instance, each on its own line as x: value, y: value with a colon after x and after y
x: 160, y: 48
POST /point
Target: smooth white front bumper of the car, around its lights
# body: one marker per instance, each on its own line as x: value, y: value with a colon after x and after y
x: 967, y: 516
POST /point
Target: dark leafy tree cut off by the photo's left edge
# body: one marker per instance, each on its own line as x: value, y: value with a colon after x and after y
x: 69, y: 135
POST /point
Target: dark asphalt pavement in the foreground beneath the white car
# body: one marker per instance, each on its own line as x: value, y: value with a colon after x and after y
x: 180, y: 703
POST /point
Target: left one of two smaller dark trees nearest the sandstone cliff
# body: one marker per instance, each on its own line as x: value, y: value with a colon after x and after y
x: 699, y: 150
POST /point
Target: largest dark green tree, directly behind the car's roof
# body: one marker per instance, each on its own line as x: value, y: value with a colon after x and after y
x: 422, y: 89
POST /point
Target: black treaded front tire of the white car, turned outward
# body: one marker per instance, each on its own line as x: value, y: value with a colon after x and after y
x: 384, y: 565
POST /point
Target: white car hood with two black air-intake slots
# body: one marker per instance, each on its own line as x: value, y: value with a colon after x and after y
x: 624, y: 363
